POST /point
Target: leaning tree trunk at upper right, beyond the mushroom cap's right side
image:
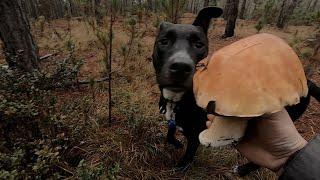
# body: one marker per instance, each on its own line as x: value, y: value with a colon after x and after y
x: 285, y: 12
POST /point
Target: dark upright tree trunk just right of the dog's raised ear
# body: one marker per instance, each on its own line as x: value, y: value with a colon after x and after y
x: 232, y: 14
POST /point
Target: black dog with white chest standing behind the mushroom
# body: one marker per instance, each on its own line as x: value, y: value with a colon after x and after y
x: 177, y: 50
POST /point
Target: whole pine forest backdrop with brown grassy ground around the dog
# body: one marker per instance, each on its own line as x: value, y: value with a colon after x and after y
x: 78, y: 97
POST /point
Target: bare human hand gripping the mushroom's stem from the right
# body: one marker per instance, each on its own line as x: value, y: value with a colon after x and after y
x: 270, y: 140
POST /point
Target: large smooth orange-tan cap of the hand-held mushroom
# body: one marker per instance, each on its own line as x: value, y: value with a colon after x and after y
x: 256, y: 75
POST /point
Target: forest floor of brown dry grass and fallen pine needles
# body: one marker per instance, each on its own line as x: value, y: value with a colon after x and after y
x: 133, y: 146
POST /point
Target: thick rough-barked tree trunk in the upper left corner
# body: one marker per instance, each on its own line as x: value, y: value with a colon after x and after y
x: 19, y: 47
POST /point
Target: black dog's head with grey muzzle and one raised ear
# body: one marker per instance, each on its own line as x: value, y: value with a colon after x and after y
x: 179, y: 47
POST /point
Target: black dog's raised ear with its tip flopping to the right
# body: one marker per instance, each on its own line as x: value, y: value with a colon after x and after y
x: 205, y: 15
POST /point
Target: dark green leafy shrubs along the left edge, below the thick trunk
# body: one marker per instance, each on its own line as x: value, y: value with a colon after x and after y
x: 31, y: 136
